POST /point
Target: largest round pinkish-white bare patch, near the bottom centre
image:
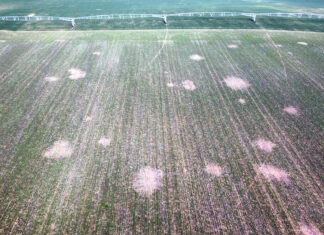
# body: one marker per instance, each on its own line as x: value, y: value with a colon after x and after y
x: 147, y: 180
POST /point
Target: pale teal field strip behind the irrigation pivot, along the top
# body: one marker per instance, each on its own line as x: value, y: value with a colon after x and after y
x: 97, y: 7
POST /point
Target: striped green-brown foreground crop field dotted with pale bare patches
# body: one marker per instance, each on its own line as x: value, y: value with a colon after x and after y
x: 161, y: 131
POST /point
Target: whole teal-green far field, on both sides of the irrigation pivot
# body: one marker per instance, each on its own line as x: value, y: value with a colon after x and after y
x: 75, y: 8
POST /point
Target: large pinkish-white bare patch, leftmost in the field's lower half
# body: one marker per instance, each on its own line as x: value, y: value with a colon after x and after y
x: 60, y: 149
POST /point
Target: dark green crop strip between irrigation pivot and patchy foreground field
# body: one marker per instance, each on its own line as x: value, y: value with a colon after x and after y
x: 316, y: 25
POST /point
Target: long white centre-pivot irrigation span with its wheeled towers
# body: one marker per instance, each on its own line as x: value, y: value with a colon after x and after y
x: 162, y: 16
